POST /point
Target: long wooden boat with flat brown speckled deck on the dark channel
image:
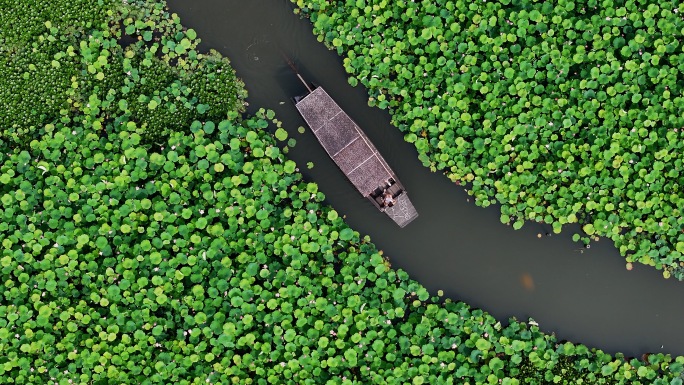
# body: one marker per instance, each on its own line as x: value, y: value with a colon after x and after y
x: 355, y: 155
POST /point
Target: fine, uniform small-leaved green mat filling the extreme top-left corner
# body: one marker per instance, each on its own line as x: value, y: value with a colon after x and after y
x: 33, y: 39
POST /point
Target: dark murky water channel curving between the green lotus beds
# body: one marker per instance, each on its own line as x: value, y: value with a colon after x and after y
x: 582, y: 295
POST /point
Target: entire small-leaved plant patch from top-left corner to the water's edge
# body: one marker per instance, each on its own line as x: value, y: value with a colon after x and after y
x: 139, y: 63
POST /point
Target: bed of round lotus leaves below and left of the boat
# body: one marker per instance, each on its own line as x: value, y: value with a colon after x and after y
x: 204, y: 258
